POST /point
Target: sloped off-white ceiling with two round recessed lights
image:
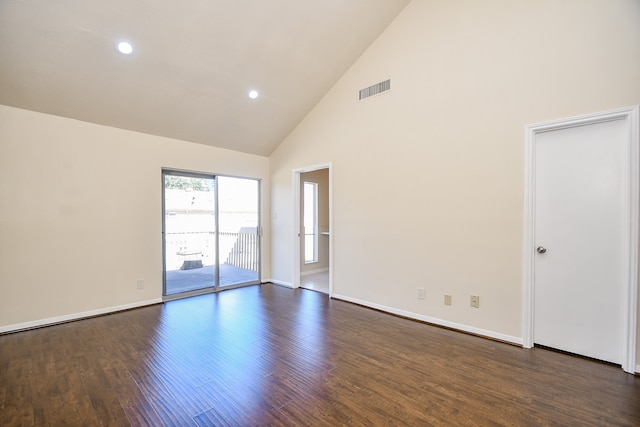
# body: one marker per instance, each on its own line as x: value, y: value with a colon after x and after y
x: 193, y: 65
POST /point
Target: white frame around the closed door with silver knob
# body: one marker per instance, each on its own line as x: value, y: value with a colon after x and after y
x: 631, y: 215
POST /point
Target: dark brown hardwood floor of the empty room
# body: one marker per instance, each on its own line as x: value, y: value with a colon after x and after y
x: 267, y: 355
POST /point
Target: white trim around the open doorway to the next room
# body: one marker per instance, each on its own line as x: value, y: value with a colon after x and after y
x: 296, y: 221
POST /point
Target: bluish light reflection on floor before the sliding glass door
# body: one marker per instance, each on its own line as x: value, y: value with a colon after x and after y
x: 213, y: 343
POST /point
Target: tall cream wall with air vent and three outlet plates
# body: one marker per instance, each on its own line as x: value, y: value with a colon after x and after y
x: 429, y: 177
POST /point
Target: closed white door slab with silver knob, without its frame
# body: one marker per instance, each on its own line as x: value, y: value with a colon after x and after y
x: 580, y: 238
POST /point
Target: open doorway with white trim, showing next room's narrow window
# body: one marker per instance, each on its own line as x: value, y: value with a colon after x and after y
x: 313, y: 245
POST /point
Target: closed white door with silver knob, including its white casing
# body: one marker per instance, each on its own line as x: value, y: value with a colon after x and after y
x: 579, y: 172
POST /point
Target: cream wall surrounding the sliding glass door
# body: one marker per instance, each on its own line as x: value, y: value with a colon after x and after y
x: 81, y: 215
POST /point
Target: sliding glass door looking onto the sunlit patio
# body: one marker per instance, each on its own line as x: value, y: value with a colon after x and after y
x: 196, y: 256
